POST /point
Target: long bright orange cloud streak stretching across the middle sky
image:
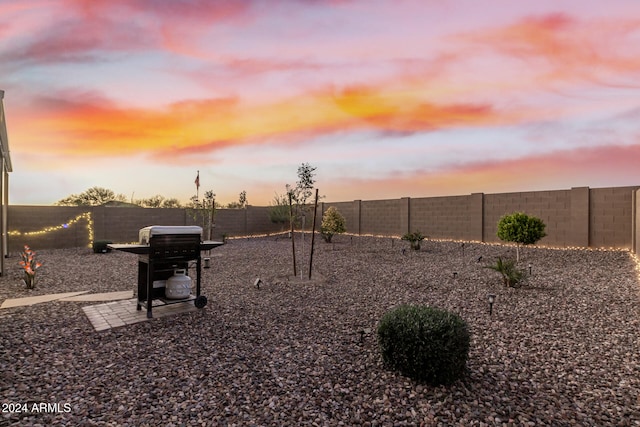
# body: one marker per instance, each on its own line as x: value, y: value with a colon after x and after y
x: 88, y: 124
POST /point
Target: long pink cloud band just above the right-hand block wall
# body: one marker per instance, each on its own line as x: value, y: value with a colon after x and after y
x: 607, y: 165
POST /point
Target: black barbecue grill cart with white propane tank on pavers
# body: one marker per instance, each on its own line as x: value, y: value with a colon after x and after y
x: 165, y: 254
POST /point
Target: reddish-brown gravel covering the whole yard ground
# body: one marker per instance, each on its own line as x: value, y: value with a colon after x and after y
x: 561, y: 350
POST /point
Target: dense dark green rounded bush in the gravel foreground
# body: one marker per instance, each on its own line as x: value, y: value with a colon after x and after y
x: 424, y: 343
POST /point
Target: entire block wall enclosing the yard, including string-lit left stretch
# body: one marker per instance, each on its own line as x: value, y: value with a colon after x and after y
x: 578, y: 217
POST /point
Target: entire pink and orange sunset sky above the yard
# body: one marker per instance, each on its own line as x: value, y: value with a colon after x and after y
x: 386, y: 98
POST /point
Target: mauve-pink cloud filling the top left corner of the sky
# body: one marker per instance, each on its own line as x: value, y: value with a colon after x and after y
x: 81, y: 30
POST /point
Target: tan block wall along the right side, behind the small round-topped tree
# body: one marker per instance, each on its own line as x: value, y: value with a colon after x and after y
x: 579, y: 217
